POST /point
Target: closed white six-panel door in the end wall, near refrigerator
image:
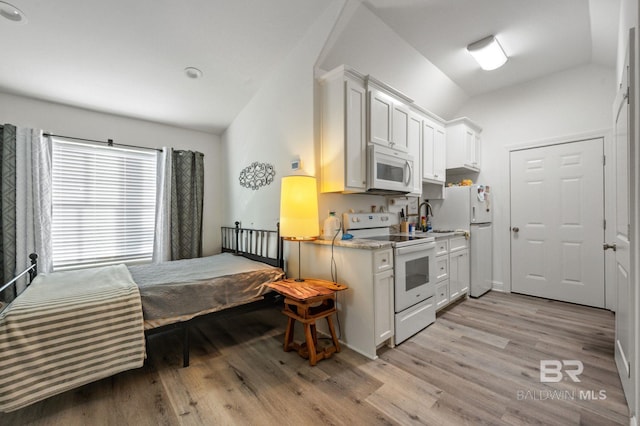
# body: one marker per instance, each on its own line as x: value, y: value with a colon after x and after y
x: 557, y: 222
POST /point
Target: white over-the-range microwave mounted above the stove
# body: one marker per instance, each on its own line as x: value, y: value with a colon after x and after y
x: 389, y: 171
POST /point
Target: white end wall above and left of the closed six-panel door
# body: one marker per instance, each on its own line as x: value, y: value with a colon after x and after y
x: 555, y: 107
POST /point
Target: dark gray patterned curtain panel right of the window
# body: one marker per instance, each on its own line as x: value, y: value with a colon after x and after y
x: 187, y: 192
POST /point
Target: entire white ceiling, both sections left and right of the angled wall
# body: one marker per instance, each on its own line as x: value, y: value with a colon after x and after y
x: 128, y: 57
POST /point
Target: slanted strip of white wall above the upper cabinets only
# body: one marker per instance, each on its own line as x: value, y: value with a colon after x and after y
x: 371, y: 47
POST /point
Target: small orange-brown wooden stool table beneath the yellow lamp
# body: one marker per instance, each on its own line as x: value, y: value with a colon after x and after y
x: 307, y: 301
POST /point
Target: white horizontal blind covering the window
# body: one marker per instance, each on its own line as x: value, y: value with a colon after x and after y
x: 104, y: 202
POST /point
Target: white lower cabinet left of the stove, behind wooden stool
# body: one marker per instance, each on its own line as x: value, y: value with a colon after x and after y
x: 365, y: 309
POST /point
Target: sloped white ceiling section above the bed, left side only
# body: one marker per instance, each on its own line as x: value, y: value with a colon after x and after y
x: 128, y: 56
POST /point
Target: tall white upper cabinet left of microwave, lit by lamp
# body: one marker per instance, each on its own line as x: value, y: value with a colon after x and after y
x: 343, y: 132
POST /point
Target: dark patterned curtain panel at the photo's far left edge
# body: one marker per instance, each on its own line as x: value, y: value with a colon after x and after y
x: 7, y: 205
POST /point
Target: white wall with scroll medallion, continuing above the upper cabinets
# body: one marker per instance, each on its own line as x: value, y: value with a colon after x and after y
x: 282, y: 122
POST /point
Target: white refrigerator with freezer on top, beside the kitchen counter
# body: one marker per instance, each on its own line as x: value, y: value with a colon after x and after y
x: 469, y: 208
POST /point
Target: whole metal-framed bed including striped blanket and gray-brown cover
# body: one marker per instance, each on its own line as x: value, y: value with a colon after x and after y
x: 59, y: 333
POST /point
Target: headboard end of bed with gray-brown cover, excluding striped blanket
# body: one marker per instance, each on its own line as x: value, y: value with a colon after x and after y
x: 258, y: 259
